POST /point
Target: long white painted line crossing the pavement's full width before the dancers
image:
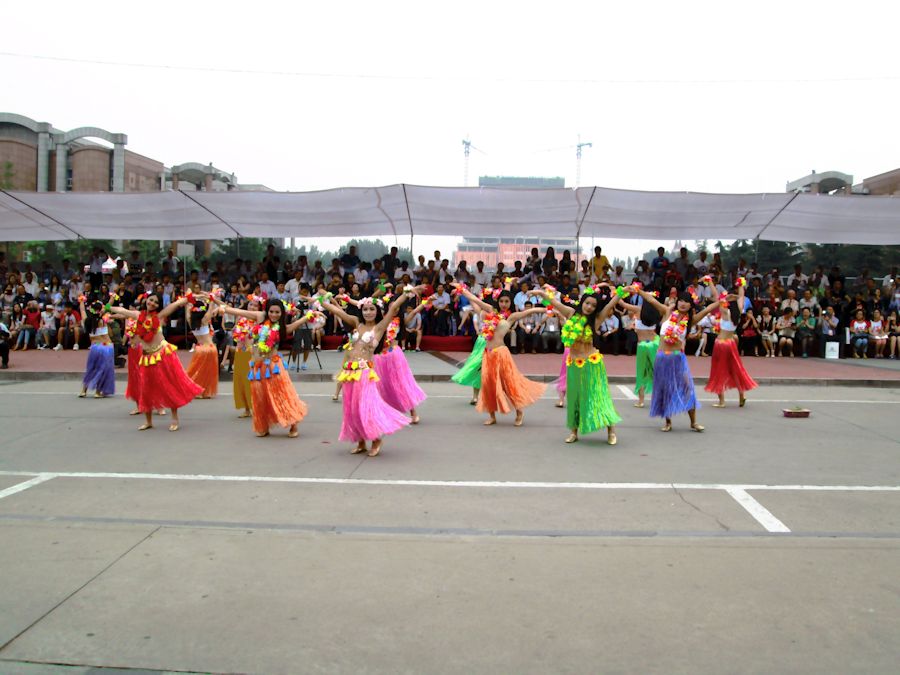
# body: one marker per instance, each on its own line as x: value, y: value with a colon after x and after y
x: 455, y: 484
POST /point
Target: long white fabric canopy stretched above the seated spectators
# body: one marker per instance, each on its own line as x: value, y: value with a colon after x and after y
x: 406, y: 210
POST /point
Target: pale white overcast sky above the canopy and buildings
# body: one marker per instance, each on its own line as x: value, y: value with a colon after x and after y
x: 699, y: 96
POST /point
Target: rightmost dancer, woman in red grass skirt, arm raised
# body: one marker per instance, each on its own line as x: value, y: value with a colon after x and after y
x: 727, y: 370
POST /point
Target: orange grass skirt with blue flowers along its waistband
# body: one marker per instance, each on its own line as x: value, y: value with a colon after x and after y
x: 275, y: 401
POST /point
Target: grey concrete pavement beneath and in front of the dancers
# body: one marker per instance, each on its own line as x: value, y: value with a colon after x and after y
x: 764, y: 544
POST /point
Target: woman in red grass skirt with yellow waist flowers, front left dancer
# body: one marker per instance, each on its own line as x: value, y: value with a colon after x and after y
x: 162, y: 380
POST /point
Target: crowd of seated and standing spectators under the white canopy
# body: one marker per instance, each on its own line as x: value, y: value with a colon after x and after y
x: 786, y: 315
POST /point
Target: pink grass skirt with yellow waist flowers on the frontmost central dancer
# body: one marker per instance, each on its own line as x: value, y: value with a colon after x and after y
x: 367, y: 416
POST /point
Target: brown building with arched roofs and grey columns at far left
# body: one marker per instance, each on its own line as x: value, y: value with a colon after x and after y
x: 35, y: 156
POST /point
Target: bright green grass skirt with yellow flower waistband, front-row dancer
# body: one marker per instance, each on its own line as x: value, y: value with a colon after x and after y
x: 589, y: 404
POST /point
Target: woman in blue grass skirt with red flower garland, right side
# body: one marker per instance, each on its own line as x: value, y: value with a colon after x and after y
x: 673, y: 385
